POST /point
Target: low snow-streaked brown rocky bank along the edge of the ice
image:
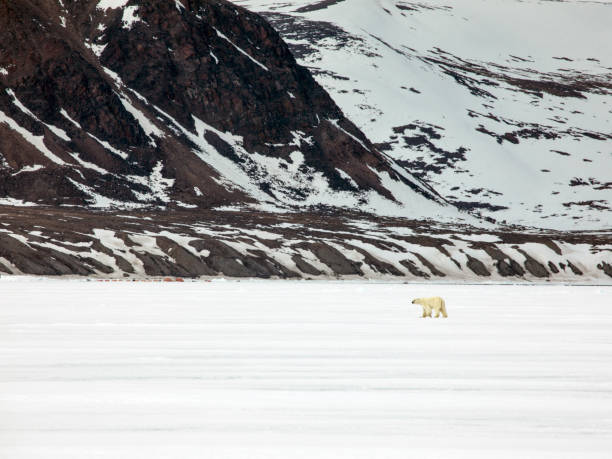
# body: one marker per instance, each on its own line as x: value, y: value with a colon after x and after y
x: 297, y: 245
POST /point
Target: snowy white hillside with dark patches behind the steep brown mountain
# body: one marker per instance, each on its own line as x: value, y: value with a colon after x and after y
x: 503, y: 106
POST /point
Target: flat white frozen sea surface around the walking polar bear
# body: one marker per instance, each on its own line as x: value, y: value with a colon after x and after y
x: 303, y: 370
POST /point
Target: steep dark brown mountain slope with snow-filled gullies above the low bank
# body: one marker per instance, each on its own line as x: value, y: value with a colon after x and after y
x: 176, y: 103
